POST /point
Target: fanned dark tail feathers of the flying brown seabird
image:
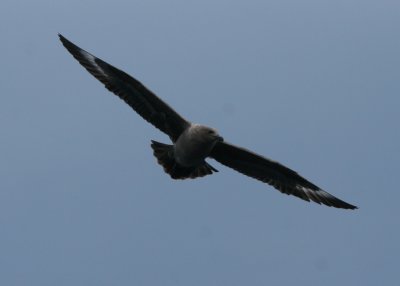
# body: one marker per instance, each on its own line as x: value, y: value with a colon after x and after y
x: 165, y: 157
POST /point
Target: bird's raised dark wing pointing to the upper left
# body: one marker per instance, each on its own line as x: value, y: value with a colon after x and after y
x: 135, y: 94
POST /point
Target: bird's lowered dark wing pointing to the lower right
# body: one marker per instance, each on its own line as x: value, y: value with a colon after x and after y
x: 280, y: 177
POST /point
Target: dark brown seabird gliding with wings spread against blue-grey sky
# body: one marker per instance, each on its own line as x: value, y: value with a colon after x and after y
x: 193, y: 143
